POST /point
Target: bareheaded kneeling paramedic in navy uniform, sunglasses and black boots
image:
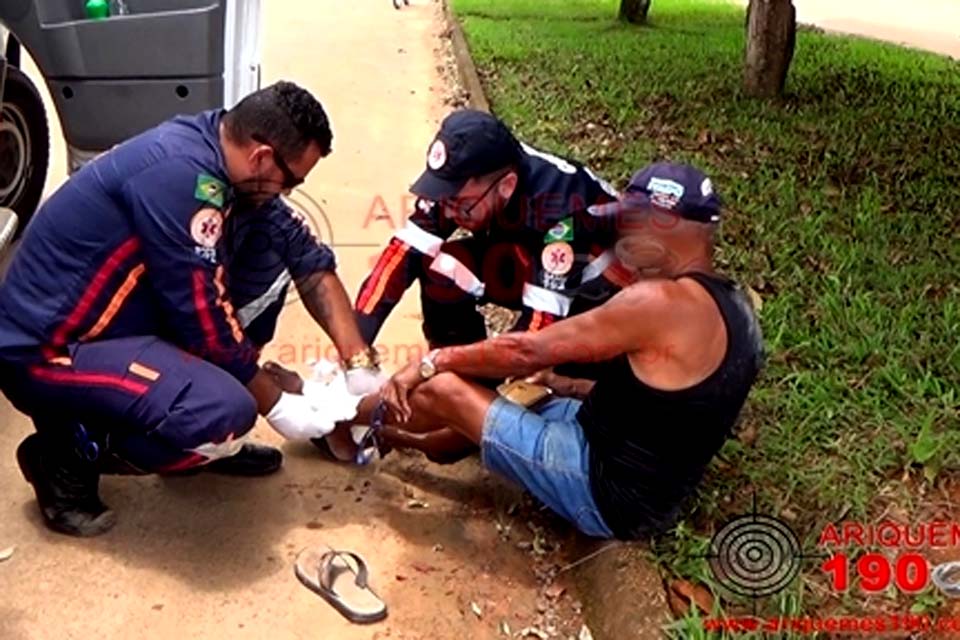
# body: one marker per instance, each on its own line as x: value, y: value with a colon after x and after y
x: 134, y: 312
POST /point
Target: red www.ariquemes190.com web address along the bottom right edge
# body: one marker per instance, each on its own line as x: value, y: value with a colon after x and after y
x: 853, y: 625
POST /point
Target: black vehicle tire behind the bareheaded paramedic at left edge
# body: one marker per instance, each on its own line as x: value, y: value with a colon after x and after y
x: 24, y: 146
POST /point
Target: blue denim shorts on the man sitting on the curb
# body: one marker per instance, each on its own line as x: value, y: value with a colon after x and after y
x: 546, y: 452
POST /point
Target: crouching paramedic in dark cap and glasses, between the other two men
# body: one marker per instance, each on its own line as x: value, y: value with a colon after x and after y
x: 532, y: 243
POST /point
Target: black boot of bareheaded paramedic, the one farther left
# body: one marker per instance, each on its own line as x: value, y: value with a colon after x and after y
x: 66, y: 488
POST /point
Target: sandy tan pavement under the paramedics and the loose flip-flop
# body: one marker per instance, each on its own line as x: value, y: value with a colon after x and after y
x: 211, y: 557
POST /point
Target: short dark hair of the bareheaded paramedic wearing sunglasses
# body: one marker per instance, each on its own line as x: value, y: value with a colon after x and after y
x: 283, y: 114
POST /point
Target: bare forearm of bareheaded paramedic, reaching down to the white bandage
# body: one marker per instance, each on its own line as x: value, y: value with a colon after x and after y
x: 326, y: 299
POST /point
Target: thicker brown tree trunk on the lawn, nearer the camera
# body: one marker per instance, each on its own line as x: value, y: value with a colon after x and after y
x: 771, y: 34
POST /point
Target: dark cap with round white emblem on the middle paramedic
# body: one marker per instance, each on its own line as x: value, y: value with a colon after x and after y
x: 470, y: 144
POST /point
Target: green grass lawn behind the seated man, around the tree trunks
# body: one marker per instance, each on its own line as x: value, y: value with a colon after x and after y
x: 844, y: 215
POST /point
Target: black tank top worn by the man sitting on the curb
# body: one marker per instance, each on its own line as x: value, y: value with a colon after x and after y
x: 649, y: 448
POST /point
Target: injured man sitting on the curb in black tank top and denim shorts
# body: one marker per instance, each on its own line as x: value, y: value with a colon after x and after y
x: 678, y: 351
